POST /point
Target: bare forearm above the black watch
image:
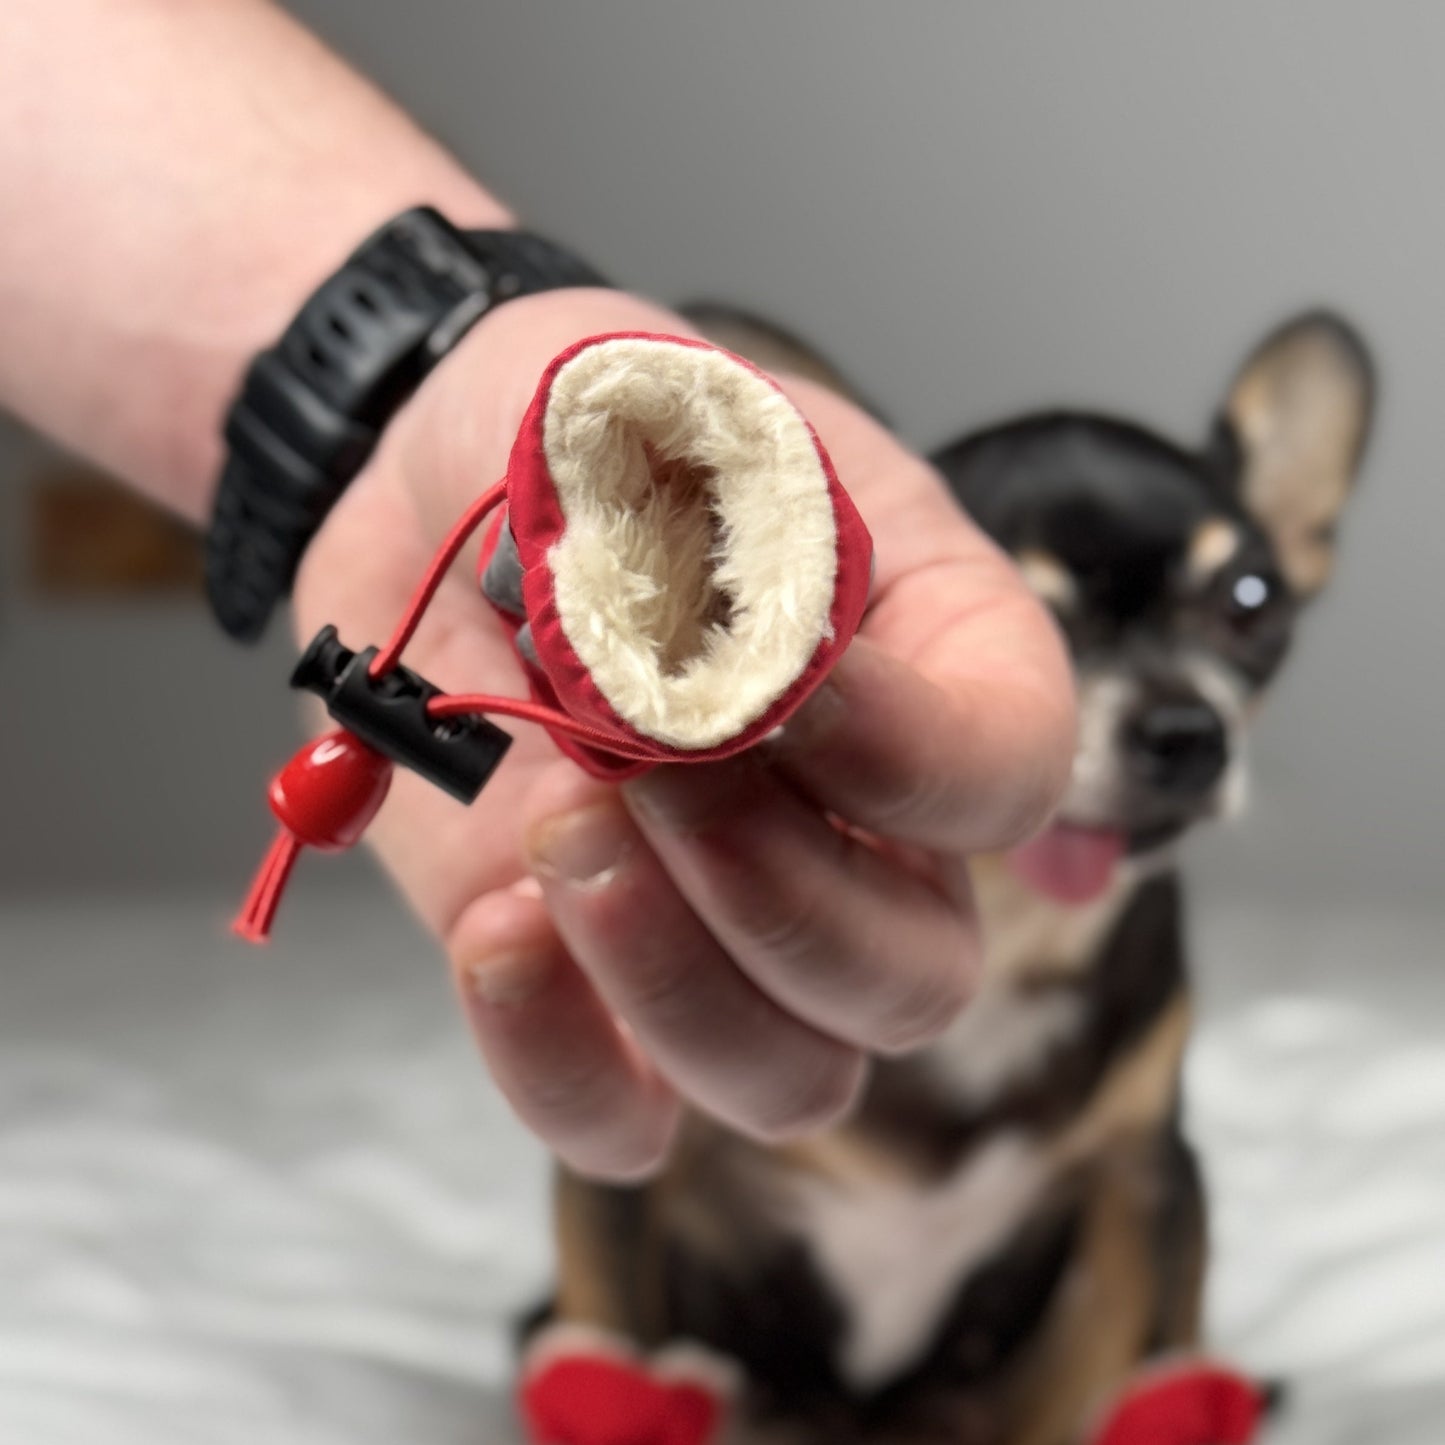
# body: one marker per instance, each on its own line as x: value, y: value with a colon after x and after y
x: 176, y: 176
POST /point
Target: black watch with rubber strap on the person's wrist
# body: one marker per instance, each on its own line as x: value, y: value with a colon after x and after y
x: 314, y: 405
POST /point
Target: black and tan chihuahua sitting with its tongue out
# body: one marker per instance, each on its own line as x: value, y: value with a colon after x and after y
x: 1012, y: 1226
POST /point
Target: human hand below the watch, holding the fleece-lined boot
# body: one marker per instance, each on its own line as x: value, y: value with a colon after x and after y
x: 707, y: 934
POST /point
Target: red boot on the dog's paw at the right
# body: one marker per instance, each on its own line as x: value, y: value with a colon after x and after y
x: 1189, y: 1402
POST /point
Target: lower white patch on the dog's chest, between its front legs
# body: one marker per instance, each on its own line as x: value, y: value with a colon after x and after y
x: 897, y: 1254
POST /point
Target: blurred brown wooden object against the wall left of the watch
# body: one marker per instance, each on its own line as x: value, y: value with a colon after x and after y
x: 90, y: 540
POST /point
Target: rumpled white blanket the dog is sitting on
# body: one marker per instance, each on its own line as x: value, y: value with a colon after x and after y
x: 269, y: 1197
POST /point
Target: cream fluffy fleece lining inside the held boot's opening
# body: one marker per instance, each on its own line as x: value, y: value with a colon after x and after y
x: 697, y: 570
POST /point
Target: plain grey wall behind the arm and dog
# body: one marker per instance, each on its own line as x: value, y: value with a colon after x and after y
x: 975, y: 210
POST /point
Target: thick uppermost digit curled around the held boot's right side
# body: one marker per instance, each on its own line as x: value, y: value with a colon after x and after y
x: 950, y: 722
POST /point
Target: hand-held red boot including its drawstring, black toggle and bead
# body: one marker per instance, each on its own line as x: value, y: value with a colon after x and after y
x: 678, y: 569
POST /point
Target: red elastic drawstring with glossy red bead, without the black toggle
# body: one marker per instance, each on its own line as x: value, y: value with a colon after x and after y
x: 333, y: 788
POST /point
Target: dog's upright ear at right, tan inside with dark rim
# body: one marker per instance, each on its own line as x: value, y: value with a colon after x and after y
x: 1295, y: 424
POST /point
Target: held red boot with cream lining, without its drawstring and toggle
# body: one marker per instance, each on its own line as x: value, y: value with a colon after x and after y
x: 678, y: 563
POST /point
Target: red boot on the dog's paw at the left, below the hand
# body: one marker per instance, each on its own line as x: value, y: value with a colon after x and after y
x: 586, y: 1388
